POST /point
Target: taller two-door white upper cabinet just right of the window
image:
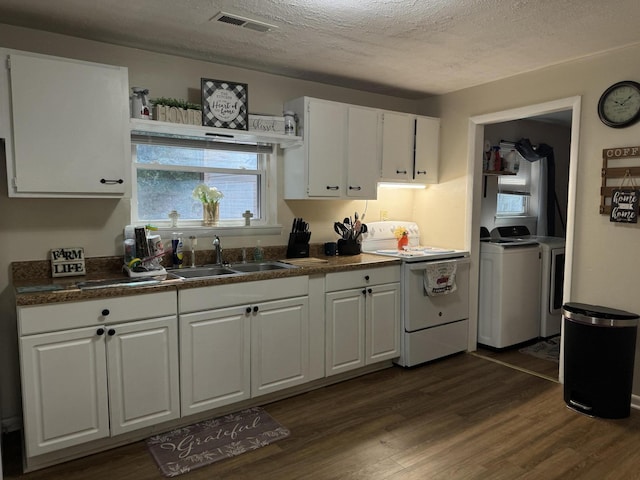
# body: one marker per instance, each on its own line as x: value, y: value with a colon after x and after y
x: 339, y: 157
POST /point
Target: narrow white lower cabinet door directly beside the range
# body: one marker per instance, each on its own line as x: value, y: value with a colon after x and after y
x: 383, y: 323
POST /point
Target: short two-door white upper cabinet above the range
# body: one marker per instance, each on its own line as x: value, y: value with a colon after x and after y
x: 410, y: 146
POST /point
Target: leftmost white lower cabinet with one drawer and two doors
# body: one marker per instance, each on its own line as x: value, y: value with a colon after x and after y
x: 104, y: 377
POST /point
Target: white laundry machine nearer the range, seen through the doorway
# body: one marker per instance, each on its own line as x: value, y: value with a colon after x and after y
x: 509, y: 297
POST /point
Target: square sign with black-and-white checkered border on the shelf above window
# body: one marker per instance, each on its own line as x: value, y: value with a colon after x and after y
x: 225, y: 104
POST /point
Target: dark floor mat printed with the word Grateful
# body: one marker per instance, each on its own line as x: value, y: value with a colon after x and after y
x: 185, y: 449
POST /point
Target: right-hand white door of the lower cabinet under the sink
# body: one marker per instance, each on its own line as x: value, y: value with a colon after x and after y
x: 279, y: 345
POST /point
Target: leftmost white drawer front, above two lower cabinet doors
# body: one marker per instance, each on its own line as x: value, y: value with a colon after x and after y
x: 63, y: 316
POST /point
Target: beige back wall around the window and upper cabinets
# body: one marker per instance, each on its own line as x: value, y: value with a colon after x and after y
x: 30, y: 227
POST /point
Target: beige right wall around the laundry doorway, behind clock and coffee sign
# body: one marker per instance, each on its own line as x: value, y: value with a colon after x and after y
x: 606, y: 256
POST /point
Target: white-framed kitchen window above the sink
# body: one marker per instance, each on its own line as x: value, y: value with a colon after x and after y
x: 167, y: 169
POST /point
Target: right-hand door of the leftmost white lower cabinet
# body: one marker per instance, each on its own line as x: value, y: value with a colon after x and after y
x: 143, y: 373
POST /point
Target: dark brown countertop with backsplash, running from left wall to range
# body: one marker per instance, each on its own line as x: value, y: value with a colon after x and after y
x: 33, y: 284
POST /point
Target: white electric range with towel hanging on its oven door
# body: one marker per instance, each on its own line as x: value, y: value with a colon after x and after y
x: 434, y: 293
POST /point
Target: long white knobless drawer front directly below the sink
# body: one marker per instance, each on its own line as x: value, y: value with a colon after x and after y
x: 207, y: 298
